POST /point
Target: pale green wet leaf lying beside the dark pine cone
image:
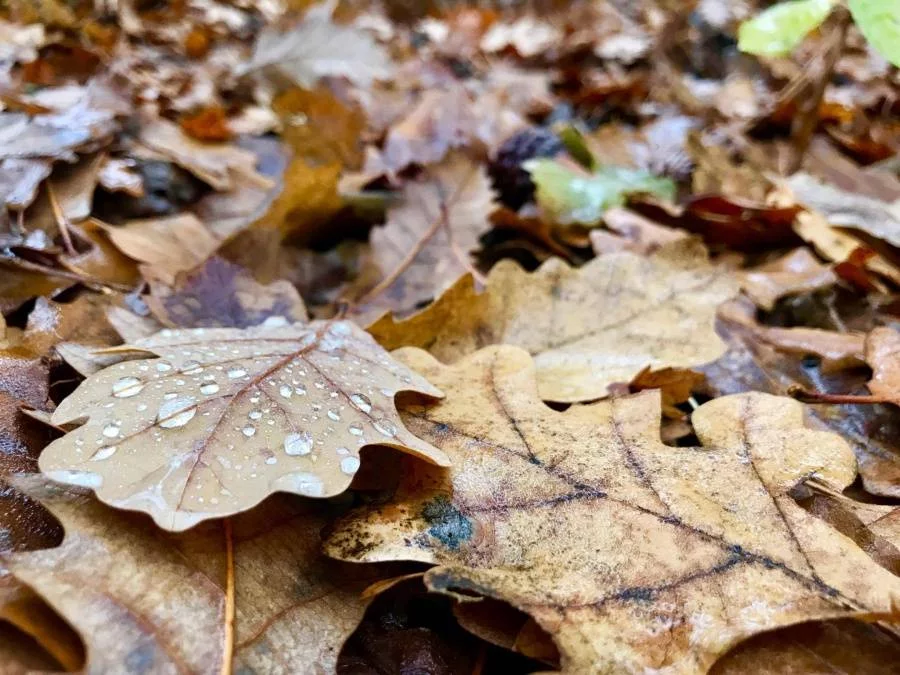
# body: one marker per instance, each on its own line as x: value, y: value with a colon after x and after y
x: 570, y: 196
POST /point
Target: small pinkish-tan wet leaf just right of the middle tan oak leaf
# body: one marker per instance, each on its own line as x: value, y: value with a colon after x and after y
x: 797, y: 272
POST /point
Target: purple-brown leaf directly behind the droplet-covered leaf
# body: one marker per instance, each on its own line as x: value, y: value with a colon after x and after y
x: 222, y: 294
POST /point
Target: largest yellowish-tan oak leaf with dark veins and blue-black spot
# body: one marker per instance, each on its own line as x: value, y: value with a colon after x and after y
x: 632, y: 554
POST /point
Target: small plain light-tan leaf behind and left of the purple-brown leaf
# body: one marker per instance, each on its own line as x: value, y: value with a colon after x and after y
x: 166, y: 246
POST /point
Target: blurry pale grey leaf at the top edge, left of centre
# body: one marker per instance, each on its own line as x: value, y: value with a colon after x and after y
x: 317, y: 48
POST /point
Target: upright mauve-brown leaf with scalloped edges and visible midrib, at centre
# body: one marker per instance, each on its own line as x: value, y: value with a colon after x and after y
x: 425, y: 245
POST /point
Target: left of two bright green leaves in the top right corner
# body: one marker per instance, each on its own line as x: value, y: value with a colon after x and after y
x: 780, y: 28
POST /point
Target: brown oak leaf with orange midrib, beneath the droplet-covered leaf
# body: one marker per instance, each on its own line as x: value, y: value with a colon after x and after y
x: 152, y: 602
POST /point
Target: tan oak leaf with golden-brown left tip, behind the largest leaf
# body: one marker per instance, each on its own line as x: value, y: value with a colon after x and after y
x: 587, y: 327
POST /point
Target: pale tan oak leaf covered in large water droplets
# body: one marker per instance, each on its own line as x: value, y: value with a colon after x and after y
x: 224, y: 417
